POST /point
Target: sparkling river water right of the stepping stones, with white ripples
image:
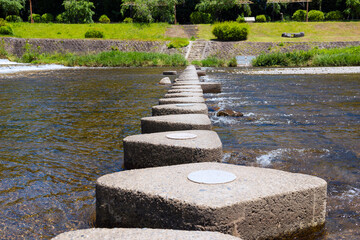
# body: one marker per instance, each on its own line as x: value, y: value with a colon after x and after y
x: 302, y: 123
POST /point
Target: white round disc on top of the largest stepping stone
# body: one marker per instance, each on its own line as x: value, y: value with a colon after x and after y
x: 211, y: 177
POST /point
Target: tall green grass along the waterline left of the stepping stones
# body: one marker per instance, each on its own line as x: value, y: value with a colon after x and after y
x: 106, y: 59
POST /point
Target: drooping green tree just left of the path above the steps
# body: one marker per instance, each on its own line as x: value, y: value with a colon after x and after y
x: 151, y: 10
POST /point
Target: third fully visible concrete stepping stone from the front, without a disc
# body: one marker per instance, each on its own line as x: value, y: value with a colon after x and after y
x: 175, y: 122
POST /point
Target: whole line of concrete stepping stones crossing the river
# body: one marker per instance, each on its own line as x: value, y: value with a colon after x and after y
x: 175, y: 180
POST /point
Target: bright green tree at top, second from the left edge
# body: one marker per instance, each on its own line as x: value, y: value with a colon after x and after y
x: 78, y: 11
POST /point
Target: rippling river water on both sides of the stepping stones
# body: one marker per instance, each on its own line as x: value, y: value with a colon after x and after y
x: 61, y: 130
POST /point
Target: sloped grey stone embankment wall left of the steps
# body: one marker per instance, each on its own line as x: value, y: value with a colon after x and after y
x: 16, y: 46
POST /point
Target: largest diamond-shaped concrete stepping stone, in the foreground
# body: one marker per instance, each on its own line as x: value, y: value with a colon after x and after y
x: 261, y: 203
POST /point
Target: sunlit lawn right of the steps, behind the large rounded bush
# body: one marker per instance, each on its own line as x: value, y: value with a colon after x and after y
x: 314, y: 31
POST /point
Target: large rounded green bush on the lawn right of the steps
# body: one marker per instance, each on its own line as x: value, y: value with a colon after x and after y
x: 231, y: 31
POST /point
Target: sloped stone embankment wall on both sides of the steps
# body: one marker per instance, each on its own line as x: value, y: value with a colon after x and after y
x: 225, y: 50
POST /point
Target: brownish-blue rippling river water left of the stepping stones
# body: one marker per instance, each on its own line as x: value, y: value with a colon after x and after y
x: 60, y: 131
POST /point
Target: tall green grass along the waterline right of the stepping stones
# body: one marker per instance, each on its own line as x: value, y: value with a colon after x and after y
x: 349, y: 56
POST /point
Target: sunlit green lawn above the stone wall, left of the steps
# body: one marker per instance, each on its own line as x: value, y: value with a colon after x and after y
x: 120, y: 31
